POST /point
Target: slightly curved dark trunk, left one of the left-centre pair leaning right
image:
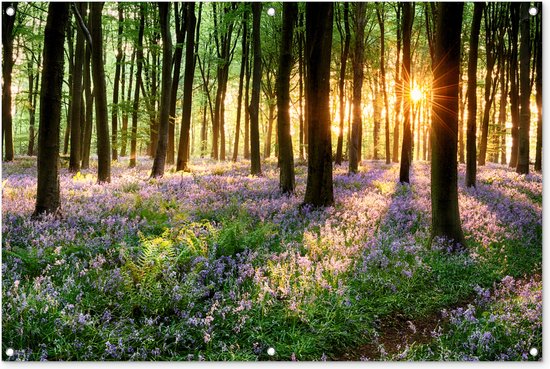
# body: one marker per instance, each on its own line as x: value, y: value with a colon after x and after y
x: 159, y: 162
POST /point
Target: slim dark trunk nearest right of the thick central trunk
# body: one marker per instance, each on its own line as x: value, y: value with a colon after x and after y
x: 358, y: 53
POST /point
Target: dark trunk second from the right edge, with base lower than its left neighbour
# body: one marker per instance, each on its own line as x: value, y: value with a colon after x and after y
x: 525, y: 90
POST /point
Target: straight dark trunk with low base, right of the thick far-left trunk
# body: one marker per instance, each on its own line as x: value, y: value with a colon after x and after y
x: 98, y: 75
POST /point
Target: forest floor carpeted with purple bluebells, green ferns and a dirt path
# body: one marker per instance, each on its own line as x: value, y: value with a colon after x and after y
x: 218, y: 265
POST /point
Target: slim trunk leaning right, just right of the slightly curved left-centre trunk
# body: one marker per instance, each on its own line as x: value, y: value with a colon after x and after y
x: 183, y: 147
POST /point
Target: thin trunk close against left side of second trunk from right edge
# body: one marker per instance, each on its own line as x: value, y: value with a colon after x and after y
x: 514, y: 89
